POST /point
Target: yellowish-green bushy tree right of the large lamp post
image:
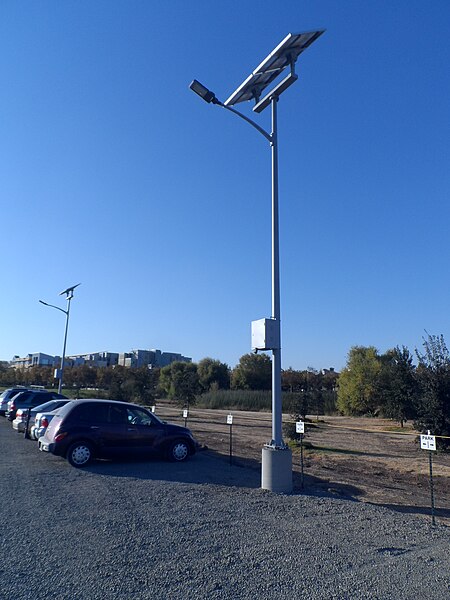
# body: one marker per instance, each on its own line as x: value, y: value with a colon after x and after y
x: 356, y: 392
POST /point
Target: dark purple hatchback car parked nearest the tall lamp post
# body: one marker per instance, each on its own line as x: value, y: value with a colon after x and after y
x: 86, y: 429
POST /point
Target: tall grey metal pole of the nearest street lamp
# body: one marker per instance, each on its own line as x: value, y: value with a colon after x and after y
x: 277, y: 417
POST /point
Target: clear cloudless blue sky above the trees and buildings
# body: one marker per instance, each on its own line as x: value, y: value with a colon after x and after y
x: 114, y: 174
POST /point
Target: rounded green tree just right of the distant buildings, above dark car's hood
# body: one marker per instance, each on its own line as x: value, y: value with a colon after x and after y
x: 180, y: 382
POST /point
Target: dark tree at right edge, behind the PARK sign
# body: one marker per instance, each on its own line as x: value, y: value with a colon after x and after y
x: 433, y: 399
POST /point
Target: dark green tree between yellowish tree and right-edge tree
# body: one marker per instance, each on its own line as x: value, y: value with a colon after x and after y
x: 396, y: 386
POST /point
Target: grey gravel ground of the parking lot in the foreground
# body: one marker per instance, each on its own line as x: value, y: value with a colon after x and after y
x: 203, y: 529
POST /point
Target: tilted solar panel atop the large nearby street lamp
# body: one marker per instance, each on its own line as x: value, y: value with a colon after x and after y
x: 284, y: 55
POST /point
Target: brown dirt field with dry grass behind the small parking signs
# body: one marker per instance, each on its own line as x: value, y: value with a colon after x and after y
x: 361, y: 458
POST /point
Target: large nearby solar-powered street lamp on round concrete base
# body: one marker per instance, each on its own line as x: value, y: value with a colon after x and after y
x: 276, y: 456
